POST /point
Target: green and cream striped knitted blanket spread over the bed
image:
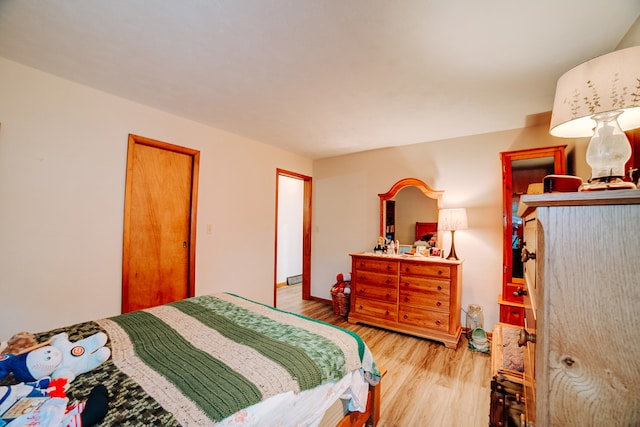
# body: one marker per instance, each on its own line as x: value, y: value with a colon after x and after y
x: 205, y: 358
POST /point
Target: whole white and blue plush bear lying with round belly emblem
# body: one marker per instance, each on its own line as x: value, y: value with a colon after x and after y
x: 58, y: 359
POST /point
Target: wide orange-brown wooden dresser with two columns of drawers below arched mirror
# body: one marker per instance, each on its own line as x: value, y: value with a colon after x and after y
x: 420, y: 296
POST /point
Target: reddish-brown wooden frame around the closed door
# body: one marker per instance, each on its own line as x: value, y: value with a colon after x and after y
x: 126, y: 244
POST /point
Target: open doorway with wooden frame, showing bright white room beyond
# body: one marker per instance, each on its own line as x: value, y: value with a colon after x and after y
x: 293, y: 233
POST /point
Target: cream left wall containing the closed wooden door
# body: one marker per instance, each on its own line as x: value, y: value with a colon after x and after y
x: 63, y: 151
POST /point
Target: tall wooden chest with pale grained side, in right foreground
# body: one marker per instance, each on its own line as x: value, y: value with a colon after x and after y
x: 582, y: 308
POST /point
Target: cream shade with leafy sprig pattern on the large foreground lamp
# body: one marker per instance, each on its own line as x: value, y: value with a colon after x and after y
x: 606, y: 83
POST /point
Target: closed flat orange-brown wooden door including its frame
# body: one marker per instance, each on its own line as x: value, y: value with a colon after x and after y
x: 159, y: 224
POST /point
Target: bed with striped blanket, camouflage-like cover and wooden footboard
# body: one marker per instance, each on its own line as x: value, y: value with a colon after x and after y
x: 225, y: 360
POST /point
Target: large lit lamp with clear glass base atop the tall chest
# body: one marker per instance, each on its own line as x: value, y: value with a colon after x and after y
x: 601, y: 98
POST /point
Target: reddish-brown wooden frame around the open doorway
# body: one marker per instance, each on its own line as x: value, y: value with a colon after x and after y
x: 306, y: 234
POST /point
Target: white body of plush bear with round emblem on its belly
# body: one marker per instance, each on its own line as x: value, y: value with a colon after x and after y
x: 80, y: 356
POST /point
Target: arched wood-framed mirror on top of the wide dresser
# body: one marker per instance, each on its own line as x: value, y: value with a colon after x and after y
x: 409, y: 210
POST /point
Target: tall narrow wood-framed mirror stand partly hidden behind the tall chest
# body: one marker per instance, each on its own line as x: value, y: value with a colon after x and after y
x: 520, y: 168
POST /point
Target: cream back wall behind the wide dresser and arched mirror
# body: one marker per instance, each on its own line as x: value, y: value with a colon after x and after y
x: 346, y: 205
